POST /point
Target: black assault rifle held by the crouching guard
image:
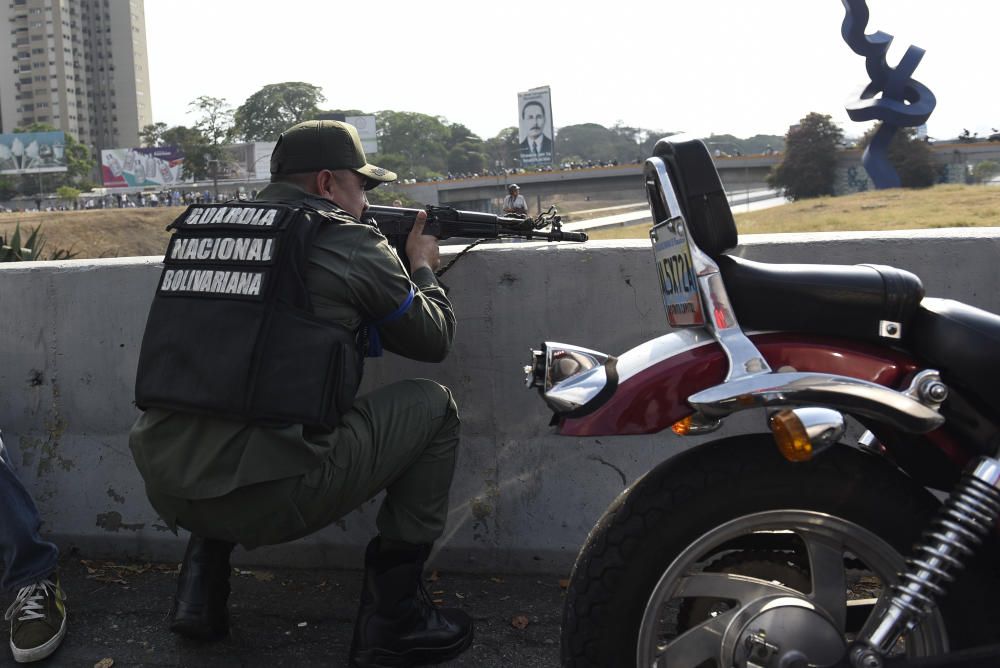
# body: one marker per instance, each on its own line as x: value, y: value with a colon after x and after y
x: 445, y: 222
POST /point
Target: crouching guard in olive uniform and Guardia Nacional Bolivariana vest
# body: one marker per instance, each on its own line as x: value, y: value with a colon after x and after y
x: 231, y: 479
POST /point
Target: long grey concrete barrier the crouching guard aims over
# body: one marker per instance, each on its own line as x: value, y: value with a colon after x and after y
x: 523, y: 498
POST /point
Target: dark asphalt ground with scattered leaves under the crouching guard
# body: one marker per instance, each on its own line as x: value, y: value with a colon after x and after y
x: 283, y: 617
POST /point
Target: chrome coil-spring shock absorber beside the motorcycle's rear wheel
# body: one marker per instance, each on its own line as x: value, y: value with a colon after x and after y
x: 969, y: 513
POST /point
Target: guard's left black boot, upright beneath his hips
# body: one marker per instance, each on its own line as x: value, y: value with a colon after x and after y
x: 200, y: 610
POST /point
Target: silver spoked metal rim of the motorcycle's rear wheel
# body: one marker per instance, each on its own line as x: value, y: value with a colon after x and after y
x: 766, y: 619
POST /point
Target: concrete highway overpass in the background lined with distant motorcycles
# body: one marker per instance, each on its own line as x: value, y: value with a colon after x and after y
x: 739, y: 173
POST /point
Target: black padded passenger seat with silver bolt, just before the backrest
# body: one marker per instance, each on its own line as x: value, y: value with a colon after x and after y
x: 841, y: 300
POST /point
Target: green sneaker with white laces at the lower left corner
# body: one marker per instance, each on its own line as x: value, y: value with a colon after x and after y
x: 37, y: 620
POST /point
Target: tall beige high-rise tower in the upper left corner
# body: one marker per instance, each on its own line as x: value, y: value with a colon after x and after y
x: 78, y: 65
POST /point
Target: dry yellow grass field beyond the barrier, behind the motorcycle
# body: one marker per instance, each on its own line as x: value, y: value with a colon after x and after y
x: 941, y: 206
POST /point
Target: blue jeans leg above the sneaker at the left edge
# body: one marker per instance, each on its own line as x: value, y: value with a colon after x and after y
x: 26, y: 557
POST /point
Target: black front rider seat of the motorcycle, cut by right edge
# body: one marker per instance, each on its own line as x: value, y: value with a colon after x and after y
x: 962, y: 342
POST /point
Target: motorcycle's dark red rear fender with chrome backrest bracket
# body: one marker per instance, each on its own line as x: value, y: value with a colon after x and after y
x: 666, y: 379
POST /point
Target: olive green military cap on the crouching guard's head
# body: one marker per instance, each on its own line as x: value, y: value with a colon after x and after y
x: 317, y: 145
